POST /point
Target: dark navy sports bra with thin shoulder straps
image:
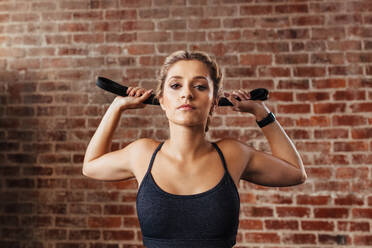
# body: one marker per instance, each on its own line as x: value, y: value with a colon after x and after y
x: 206, y: 220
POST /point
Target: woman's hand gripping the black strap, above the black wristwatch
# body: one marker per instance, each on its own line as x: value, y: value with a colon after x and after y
x: 245, y: 105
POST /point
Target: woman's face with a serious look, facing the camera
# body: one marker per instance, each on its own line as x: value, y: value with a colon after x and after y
x: 187, y: 82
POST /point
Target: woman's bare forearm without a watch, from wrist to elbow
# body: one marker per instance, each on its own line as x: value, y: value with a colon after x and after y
x: 102, y: 138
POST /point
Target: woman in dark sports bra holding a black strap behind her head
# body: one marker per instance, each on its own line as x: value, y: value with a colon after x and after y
x: 187, y: 194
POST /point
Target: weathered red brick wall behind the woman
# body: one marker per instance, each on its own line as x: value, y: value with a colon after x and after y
x: 314, y: 56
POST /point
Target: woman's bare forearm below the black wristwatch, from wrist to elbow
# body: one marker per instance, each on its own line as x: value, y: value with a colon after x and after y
x: 281, y: 145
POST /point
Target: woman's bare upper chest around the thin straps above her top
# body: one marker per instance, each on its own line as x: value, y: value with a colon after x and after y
x: 187, y: 178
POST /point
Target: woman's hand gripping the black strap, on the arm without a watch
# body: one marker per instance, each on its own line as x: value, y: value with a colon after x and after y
x: 136, y: 97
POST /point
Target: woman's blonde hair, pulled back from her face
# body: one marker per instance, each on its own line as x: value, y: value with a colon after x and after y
x: 214, y: 72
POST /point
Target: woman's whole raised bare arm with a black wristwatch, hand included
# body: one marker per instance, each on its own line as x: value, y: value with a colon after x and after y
x: 284, y: 167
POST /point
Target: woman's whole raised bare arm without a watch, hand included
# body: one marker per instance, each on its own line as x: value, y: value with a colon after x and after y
x: 101, y: 164
